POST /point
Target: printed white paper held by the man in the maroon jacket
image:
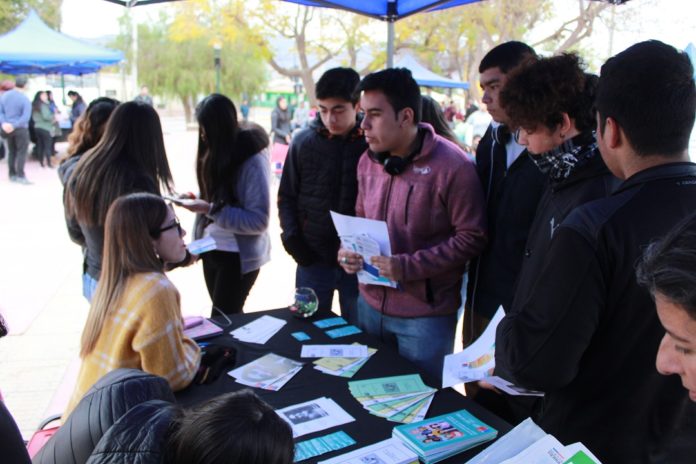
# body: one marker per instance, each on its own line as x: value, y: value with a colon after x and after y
x: 367, y: 237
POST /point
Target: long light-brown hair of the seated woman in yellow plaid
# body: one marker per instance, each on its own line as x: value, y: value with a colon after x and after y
x: 131, y: 224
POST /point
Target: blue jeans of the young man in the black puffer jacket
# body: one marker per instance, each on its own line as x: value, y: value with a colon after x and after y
x: 324, y: 280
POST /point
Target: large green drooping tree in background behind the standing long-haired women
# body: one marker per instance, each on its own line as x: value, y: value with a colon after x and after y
x: 175, y: 54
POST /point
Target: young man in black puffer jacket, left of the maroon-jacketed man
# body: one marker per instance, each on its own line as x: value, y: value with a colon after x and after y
x: 320, y: 175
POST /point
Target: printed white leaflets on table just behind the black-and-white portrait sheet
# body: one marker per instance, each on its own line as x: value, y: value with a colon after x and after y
x: 269, y: 372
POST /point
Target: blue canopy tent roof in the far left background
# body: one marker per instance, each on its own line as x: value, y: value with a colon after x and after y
x: 34, y: 48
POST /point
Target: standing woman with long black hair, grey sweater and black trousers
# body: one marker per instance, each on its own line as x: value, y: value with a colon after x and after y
x: 233, y: 172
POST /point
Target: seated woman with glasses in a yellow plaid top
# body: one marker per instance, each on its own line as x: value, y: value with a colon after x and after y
x: 135, y: 318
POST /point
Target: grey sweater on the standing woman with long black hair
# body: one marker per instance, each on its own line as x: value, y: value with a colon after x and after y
x: 248, y: 220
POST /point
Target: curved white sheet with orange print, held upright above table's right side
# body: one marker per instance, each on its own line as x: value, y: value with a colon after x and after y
x: 476, y: 361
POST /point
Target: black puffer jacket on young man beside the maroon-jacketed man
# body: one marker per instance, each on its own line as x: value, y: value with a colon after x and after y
x: 320, y: 174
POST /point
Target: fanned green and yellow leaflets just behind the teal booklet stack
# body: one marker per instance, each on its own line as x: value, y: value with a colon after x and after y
x: 403, y: 398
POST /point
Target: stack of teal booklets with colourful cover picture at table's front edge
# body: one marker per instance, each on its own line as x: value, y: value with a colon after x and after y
x: 443, y: 436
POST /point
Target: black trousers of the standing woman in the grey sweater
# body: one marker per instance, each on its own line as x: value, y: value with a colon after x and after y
x: 227, y: 287
